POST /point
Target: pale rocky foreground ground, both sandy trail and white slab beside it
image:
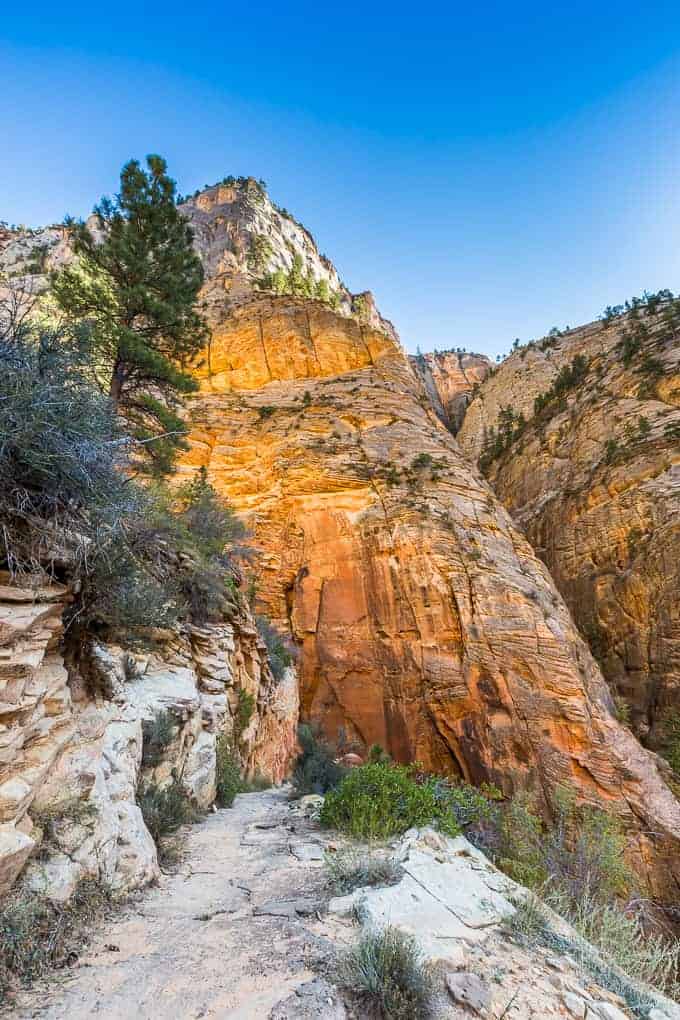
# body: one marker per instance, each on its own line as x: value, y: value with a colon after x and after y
x: 245, y: 931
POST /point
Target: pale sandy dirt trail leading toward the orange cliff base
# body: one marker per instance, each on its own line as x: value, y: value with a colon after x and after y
x: 234, y: 934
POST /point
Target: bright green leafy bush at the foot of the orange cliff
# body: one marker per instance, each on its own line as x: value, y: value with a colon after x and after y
x: 380, y: 801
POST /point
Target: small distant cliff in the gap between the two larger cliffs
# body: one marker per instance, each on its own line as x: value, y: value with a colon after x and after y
x: 450, y: 379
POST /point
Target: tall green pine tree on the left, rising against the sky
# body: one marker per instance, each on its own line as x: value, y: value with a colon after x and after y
x: 136, y: 284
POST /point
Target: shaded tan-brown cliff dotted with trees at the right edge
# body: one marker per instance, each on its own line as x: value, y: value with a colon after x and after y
x: 595, y: 484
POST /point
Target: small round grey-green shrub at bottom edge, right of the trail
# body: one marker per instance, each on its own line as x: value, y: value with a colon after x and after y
x: 387, y: 971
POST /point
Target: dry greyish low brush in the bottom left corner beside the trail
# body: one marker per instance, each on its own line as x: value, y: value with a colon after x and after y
x: 37, y: 936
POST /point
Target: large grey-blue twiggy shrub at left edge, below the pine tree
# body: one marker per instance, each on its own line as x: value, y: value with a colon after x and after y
x: 63, y: 455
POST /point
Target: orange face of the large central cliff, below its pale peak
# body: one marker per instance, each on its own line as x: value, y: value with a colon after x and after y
x: 424, y: 619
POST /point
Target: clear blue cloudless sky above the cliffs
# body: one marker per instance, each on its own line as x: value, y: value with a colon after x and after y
x: 489, y: 171
